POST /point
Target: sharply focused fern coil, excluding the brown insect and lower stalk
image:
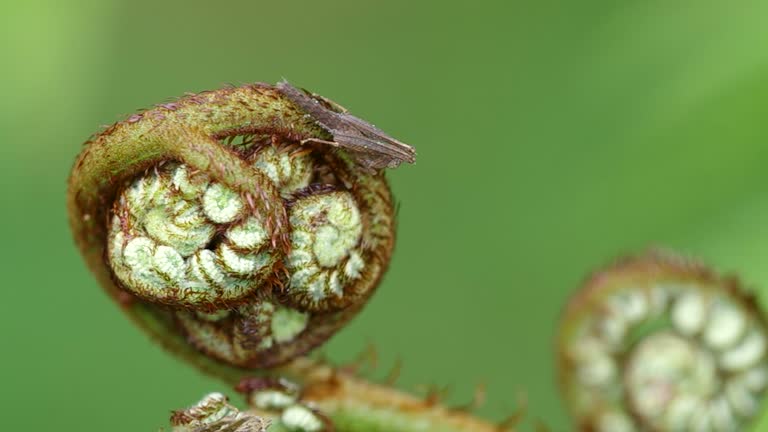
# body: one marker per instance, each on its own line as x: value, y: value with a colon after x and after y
x: 257, y: 247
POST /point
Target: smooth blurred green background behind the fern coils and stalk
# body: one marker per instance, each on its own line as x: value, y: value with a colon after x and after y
x: 552, y: 136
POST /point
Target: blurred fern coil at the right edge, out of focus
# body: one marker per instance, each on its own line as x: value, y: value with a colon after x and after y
x: 660, y: 343
